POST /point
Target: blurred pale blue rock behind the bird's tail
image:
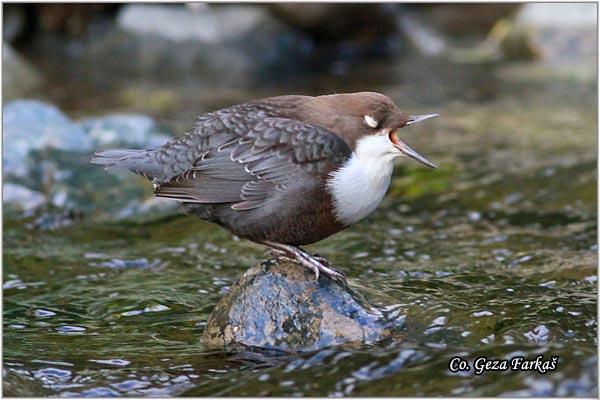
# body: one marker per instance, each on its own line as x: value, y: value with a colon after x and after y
x: 46, y: 157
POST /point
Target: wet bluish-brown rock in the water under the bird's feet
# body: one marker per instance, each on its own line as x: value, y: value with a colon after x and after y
x: 279, y: 305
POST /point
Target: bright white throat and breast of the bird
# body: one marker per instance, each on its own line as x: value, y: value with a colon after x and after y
x: 359, y: 186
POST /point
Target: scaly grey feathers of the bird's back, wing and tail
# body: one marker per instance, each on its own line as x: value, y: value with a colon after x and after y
x: 241, y: 155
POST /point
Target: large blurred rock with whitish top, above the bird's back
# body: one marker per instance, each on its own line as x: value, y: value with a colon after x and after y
x: 221, y: 46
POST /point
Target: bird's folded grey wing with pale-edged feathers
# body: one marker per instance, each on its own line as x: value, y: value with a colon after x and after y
x: 248, y: 169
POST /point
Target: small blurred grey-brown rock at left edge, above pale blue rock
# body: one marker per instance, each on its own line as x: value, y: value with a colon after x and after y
x: 19, y: 77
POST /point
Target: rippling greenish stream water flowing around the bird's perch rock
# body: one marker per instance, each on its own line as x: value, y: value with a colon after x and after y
x: 492, y: 255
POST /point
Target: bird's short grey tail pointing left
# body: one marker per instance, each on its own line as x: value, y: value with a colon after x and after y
x: 141, y: 162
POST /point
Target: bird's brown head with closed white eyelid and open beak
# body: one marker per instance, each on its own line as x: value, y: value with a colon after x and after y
x: 371, y: 123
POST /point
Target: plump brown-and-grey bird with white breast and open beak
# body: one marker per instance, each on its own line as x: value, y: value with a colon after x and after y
x: 284, y: 171
